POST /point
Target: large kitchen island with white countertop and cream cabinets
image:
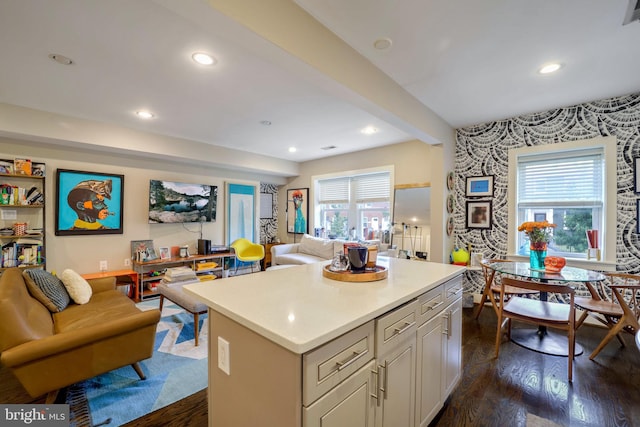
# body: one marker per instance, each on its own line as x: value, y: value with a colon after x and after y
x: 290, y: 347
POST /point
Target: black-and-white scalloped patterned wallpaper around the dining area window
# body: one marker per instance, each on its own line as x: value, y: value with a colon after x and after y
x: 483, y: 150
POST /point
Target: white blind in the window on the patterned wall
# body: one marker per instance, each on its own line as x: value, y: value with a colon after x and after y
x: 569, y: 179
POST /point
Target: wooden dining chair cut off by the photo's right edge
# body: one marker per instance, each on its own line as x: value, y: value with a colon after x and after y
x: 616, y: 305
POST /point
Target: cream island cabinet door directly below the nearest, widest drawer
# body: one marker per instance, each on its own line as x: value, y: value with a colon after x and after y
x: 351, y: 403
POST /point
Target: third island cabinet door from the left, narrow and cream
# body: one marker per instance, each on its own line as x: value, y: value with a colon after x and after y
x: 429, y: 370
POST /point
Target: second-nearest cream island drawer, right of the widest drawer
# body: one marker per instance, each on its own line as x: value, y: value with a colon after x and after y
x: 391, y: 327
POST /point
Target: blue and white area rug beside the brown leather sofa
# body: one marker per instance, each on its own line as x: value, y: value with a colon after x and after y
x: 177, y: 370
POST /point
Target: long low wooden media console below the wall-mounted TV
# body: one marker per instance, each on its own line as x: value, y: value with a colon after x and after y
x: 152, y: 272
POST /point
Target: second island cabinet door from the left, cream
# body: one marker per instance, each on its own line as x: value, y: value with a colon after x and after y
x: 397, y: 386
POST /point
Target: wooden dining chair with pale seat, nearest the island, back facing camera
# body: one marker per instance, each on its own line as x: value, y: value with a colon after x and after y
x: 542, y: 313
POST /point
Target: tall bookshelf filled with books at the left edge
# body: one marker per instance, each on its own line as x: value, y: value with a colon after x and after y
x: 22, y: 220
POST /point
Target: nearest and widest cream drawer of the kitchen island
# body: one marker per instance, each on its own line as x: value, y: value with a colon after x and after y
x: 328, y: 365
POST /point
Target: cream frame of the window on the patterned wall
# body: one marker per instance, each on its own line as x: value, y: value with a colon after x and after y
x: 609, y: 211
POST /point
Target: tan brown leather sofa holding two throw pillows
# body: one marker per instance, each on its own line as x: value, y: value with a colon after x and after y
x: 47, y: 351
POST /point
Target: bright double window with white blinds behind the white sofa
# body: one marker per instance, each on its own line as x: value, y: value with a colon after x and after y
x: 353, y: 207
